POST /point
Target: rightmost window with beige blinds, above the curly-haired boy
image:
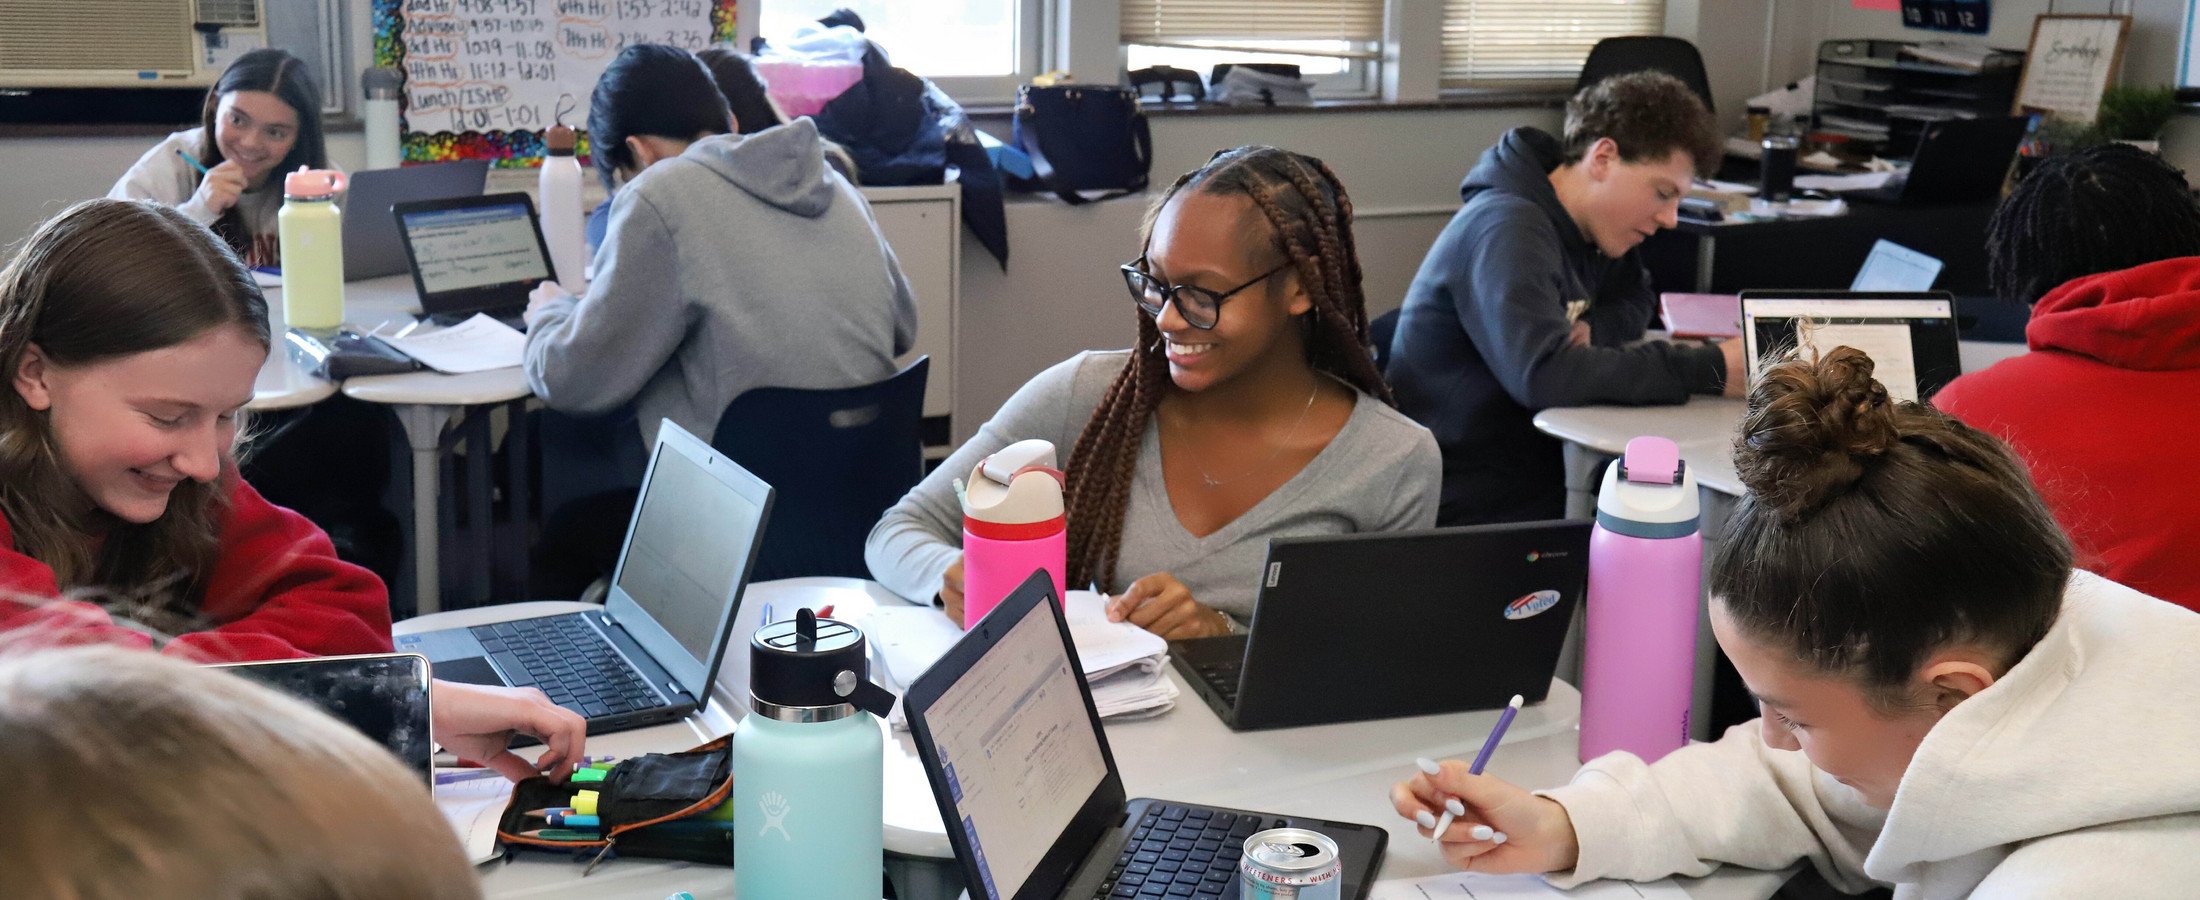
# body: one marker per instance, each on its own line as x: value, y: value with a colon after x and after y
x: 1532, y: 43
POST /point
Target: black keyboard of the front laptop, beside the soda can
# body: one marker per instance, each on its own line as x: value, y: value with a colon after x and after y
x: 1182, y: 853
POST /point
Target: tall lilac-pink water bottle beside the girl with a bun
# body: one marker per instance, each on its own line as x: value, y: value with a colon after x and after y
x: 1644, y: 591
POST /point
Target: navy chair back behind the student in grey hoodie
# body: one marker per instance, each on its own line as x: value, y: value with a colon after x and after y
x: 837, y: 459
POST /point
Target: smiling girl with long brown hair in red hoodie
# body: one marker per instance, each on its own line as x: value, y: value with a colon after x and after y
x: 131, y: 340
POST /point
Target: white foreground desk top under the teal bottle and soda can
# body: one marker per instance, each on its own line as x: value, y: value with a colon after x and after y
x: 1341, y: 771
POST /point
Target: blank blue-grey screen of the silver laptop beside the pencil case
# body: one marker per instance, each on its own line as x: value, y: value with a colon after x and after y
x: 687, y: 556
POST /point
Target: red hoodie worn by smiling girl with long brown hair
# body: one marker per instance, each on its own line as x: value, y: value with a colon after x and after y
x: 278, y: 591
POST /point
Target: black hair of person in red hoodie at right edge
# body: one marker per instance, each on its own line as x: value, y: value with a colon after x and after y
x: 2091, y: 212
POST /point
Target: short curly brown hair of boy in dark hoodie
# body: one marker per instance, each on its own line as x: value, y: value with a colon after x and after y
x: 1649, y: 116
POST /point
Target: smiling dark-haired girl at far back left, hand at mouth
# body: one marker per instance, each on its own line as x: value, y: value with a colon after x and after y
x: 263, y: 118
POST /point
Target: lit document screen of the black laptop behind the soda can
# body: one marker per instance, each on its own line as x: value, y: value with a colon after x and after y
x: 1017, y: 749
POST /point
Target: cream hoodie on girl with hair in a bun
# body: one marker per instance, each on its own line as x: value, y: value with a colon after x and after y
x: 2078, y: 776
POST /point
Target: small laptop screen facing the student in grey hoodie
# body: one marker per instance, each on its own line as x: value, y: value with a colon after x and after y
x: 474, y: 245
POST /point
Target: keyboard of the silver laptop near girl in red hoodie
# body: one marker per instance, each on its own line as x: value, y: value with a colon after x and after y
x: 569, y: 661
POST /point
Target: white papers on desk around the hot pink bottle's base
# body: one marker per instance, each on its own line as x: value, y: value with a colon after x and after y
x: 1123, y: 663
